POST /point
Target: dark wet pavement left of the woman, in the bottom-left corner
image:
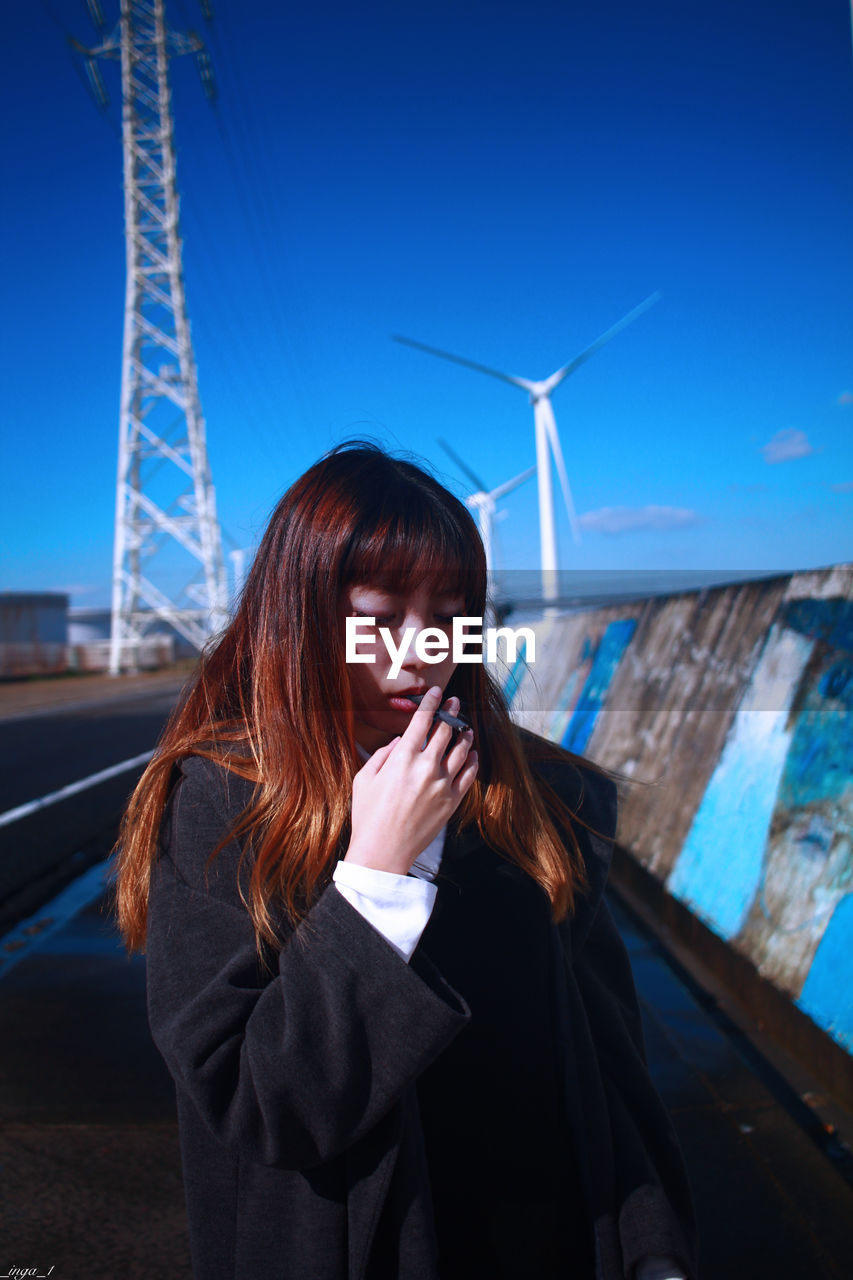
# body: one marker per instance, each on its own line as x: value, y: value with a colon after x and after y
x: 88, y: 1135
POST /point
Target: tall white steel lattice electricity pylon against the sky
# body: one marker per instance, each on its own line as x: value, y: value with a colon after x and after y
x: 165, y: 500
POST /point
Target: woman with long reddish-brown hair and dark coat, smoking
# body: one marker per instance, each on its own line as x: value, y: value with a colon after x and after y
x: 402, y: 1025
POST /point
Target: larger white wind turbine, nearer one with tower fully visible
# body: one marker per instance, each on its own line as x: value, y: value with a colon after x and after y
x: 546, y: 436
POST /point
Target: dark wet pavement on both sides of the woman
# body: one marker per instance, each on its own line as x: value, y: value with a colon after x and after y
x: 89, y: 1145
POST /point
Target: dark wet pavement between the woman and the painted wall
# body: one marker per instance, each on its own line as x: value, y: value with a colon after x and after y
x: 769, y: 1201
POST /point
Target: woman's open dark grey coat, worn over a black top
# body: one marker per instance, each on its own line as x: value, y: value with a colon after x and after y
x: 297, y: 1084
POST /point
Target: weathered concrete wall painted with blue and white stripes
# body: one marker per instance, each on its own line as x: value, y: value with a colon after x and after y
x: 729, y: 714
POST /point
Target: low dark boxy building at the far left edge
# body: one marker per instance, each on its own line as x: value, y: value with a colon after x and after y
x: 34, y: 633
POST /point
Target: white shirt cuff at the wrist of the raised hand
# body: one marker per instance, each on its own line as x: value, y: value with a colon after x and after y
x: 399, y: 907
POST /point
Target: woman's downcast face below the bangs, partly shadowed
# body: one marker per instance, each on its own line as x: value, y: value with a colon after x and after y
x: 381, y: 711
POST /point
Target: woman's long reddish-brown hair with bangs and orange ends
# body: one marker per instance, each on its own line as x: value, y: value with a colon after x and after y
x: 271, y: 702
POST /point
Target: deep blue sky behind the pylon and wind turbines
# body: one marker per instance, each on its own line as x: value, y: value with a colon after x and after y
x: 499, y: 180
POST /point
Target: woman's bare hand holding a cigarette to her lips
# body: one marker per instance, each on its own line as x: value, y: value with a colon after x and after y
x: 404, y: 796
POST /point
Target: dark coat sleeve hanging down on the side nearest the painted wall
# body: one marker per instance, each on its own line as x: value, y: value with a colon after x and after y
x: 653, y: 1201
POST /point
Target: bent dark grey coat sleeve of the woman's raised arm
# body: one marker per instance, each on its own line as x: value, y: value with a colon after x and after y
x: 297, y: 1062
